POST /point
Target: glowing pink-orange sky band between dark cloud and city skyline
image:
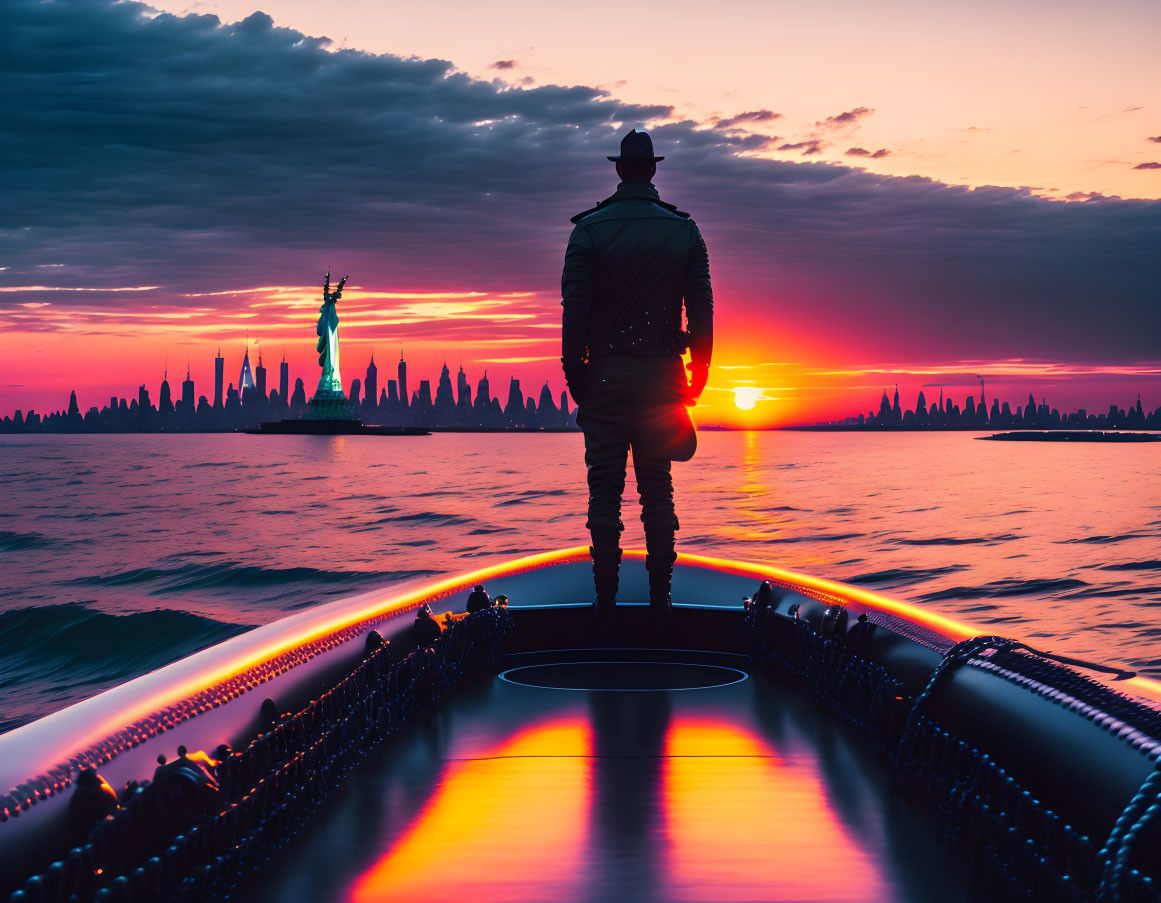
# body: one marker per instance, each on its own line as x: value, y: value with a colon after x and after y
x: 799, y: 377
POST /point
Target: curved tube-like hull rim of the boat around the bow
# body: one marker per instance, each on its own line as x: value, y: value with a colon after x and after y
x: 1075, y: 763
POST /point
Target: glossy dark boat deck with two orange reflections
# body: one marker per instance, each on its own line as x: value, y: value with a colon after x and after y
x: 617, y: 776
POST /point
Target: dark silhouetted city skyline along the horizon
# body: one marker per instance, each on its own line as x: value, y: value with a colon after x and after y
x: 452, y: 404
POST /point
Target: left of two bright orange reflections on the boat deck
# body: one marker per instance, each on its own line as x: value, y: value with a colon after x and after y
x: 513, y: 818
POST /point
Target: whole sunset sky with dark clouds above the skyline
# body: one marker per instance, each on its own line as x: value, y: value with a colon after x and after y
x: 912, y: 193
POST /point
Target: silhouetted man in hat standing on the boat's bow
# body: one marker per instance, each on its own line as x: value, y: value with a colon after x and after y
x: 631, y: 263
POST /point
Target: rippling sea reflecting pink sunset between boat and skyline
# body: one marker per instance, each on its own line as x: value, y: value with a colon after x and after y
x: 122, y: 553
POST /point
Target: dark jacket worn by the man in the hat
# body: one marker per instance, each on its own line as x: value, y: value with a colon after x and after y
x: 630, y: 265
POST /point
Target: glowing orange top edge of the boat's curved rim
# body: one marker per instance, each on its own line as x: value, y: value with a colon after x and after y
x: 98, y: 729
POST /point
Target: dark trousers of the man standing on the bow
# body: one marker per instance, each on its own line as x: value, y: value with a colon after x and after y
x: 624, y: 389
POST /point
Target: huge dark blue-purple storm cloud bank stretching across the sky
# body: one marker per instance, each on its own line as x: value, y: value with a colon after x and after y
x: 155, y: 150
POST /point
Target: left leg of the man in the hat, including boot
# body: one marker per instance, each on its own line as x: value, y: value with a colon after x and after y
x: 605, y: 451
